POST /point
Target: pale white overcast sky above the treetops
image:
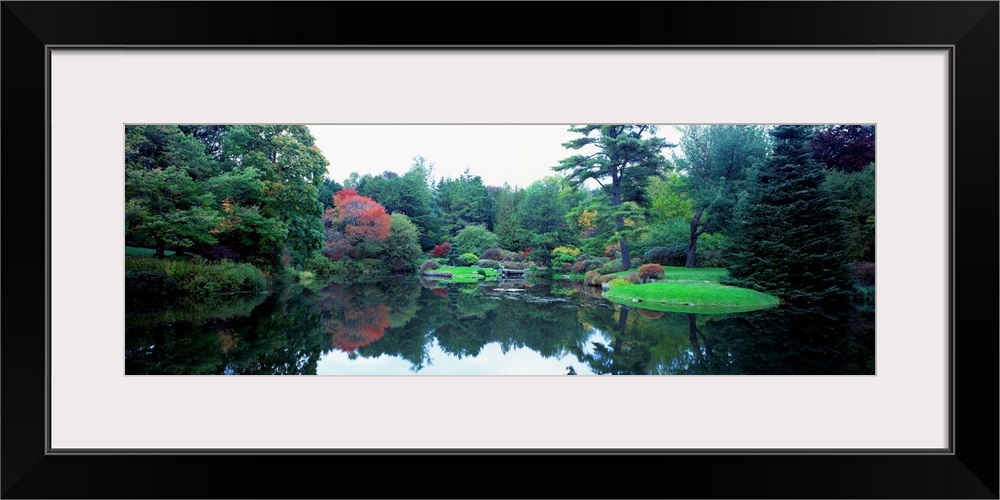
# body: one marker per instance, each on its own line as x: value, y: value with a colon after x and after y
x: 516, y: 154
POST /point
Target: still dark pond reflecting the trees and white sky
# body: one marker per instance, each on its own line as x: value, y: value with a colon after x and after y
x: 409, y: 326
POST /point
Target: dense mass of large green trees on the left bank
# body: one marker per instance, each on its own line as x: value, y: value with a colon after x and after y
x: 240, y: 192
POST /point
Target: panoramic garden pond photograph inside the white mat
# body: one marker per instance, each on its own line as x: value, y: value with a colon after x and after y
x: 518, y: 250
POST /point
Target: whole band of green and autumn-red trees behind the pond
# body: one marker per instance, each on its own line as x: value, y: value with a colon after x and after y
x: 786, y: 209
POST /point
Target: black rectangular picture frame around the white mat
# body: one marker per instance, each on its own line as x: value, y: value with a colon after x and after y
x: 969, y: 28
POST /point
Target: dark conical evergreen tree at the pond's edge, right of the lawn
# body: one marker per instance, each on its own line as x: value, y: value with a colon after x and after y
x: 790, y: 238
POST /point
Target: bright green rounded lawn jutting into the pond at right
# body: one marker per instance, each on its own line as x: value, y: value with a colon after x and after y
x: 694, y: 297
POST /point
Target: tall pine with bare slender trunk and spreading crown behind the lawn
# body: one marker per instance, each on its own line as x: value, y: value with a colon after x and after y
x: 621, y: 159
